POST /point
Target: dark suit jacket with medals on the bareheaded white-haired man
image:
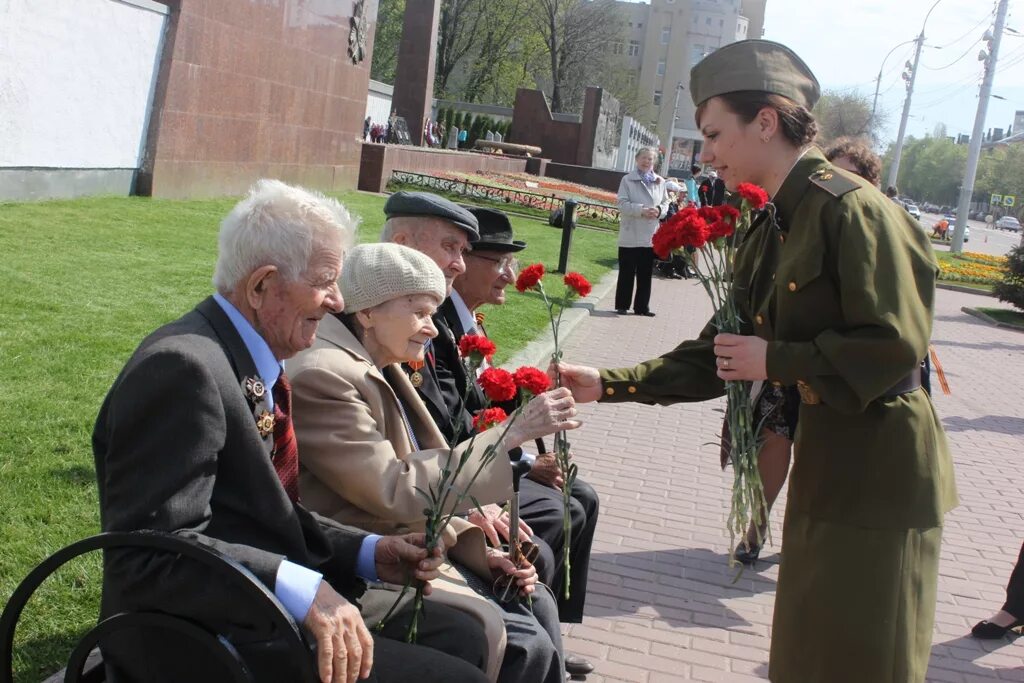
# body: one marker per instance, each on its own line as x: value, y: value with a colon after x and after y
x: 178, y: 450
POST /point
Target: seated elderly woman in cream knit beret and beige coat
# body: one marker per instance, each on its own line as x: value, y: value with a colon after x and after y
x: 368, y: 444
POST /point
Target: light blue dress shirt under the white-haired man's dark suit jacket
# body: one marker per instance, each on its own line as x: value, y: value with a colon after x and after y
x: 295, y: 585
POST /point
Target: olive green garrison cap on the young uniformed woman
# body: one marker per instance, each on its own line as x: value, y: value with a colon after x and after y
x: 754, y: 65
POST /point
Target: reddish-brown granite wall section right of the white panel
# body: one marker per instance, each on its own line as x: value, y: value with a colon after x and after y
x: 254, y: 89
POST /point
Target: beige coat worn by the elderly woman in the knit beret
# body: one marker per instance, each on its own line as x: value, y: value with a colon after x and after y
x: 359, y: 465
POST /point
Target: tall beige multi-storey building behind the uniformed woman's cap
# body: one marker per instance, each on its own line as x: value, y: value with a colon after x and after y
x: 664, y: 40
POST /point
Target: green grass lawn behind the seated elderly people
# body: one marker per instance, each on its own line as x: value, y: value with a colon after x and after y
x: 86, y: 281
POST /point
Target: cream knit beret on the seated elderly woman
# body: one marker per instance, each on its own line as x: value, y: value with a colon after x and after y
x: 377, y: 273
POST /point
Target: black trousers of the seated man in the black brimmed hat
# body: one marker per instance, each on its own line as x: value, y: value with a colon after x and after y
x: 541, y: 507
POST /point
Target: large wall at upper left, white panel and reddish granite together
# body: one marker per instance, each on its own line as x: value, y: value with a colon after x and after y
x: 181, y: 98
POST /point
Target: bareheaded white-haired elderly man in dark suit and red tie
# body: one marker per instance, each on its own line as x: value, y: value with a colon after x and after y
x: 196, y: 439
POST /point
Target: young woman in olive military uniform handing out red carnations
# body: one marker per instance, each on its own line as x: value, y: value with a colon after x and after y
x: 838, y: 291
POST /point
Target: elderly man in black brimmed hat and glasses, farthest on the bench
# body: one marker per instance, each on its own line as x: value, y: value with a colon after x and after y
x: 491, y: 268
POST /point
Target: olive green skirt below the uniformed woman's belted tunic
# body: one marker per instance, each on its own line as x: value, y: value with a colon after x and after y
x: 854, y: 606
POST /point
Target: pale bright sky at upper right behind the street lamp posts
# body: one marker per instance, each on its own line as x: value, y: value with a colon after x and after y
x: 845, y: 41
